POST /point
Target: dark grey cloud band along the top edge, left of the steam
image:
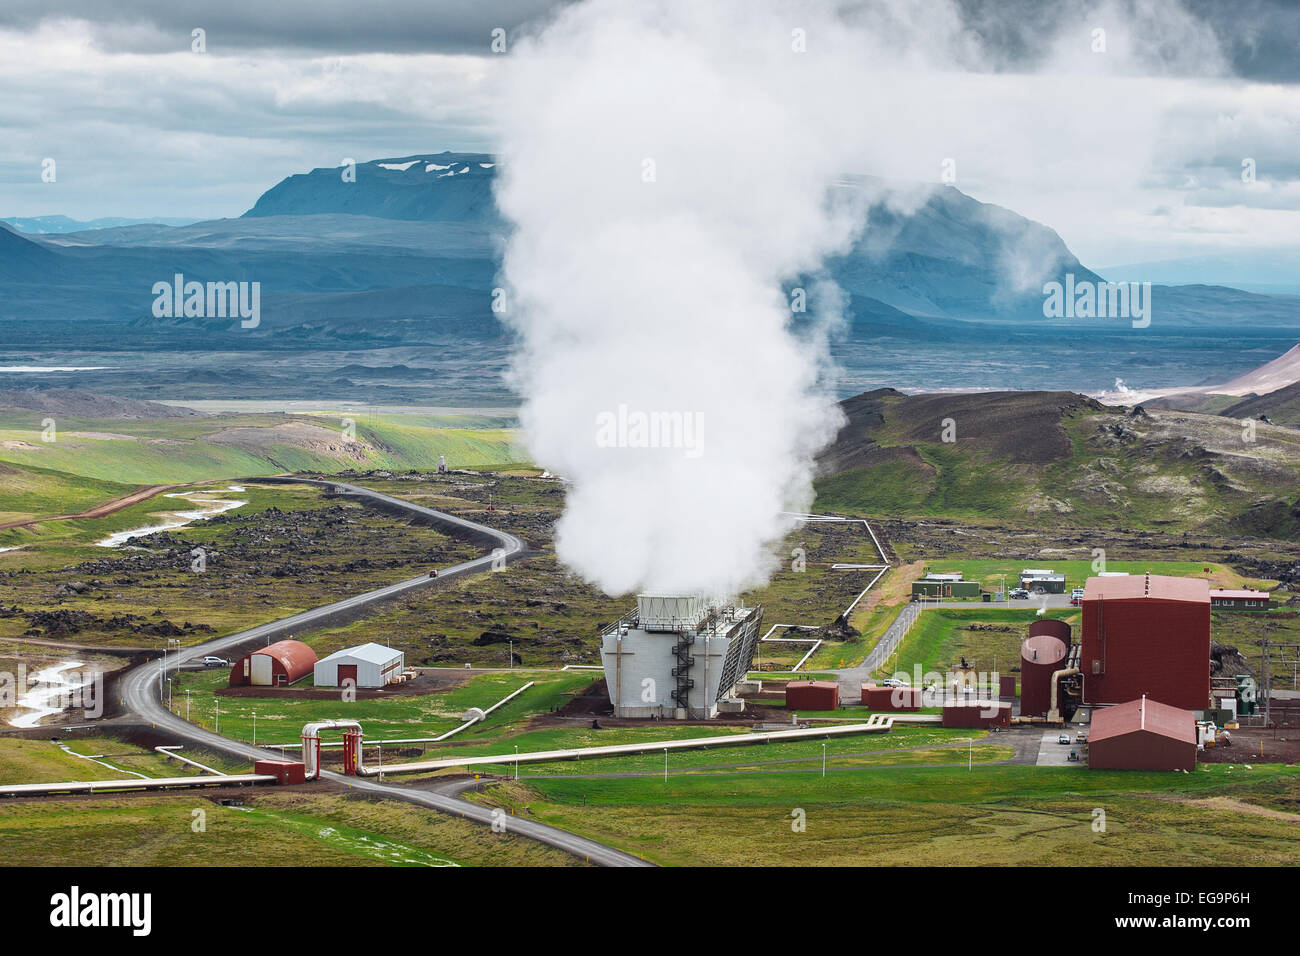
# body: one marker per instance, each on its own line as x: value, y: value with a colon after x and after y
x: 337, y: 27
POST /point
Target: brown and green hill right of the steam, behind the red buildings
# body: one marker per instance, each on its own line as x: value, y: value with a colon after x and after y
x: 1058, y: 458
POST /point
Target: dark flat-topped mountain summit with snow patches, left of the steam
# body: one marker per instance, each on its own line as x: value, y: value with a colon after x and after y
x: 444, y: 188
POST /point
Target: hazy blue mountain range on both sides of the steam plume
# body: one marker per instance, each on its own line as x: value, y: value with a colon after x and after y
x: 404, y: 261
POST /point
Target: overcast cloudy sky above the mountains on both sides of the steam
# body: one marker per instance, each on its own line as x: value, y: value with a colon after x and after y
x: 1132, y: 154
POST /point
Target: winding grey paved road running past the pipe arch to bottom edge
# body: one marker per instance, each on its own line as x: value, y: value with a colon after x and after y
x: 140, y: 689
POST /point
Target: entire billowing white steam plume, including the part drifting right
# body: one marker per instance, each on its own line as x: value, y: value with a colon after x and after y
x: 669, y: 168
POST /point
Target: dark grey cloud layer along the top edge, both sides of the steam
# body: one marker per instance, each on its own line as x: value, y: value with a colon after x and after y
x: 1258, y: 38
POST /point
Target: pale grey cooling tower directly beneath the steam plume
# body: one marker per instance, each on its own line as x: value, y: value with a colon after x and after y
x: 679, y: 657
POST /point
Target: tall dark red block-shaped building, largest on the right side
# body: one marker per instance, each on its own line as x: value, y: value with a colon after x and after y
x: 1147, y: 635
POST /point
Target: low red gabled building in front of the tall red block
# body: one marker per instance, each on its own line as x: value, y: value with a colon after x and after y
x: 1142, y: 736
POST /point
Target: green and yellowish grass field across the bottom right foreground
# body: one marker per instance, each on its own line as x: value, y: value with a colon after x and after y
x: 887, y: 816
